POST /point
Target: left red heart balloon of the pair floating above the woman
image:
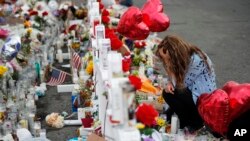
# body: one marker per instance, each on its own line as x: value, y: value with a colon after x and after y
x: 131, y: 25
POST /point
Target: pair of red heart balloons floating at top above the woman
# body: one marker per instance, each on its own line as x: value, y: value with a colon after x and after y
x: 136, y: 23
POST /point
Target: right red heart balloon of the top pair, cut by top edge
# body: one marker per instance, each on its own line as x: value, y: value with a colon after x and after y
x: 154, y: 17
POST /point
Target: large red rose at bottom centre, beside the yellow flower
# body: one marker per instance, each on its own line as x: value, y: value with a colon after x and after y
x: 146, y: 114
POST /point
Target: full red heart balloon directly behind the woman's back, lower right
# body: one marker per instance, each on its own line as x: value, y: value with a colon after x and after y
x: 214, y: 109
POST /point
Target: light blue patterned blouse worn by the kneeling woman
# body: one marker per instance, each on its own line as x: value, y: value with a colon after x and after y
x: 198, y: 78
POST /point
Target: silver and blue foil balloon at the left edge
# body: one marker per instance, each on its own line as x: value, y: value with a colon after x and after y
x: 11, y: 47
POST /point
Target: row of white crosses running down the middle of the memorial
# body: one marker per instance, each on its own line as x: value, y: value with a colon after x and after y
x: 107, y: 71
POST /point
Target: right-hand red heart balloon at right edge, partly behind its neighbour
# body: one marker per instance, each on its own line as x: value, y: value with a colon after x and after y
x: 239, y: 95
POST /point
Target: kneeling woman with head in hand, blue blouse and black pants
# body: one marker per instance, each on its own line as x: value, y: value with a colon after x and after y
x: 190, y: 74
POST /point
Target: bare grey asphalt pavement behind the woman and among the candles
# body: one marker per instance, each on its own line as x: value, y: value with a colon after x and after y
x: 220, y: 28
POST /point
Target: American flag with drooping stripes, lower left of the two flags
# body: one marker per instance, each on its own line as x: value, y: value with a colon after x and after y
x: 57, y: 77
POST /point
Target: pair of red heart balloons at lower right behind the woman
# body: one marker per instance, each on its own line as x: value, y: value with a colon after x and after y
x: 222, y: 106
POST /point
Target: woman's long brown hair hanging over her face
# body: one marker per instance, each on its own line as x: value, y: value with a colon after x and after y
x: 180, y: 53
